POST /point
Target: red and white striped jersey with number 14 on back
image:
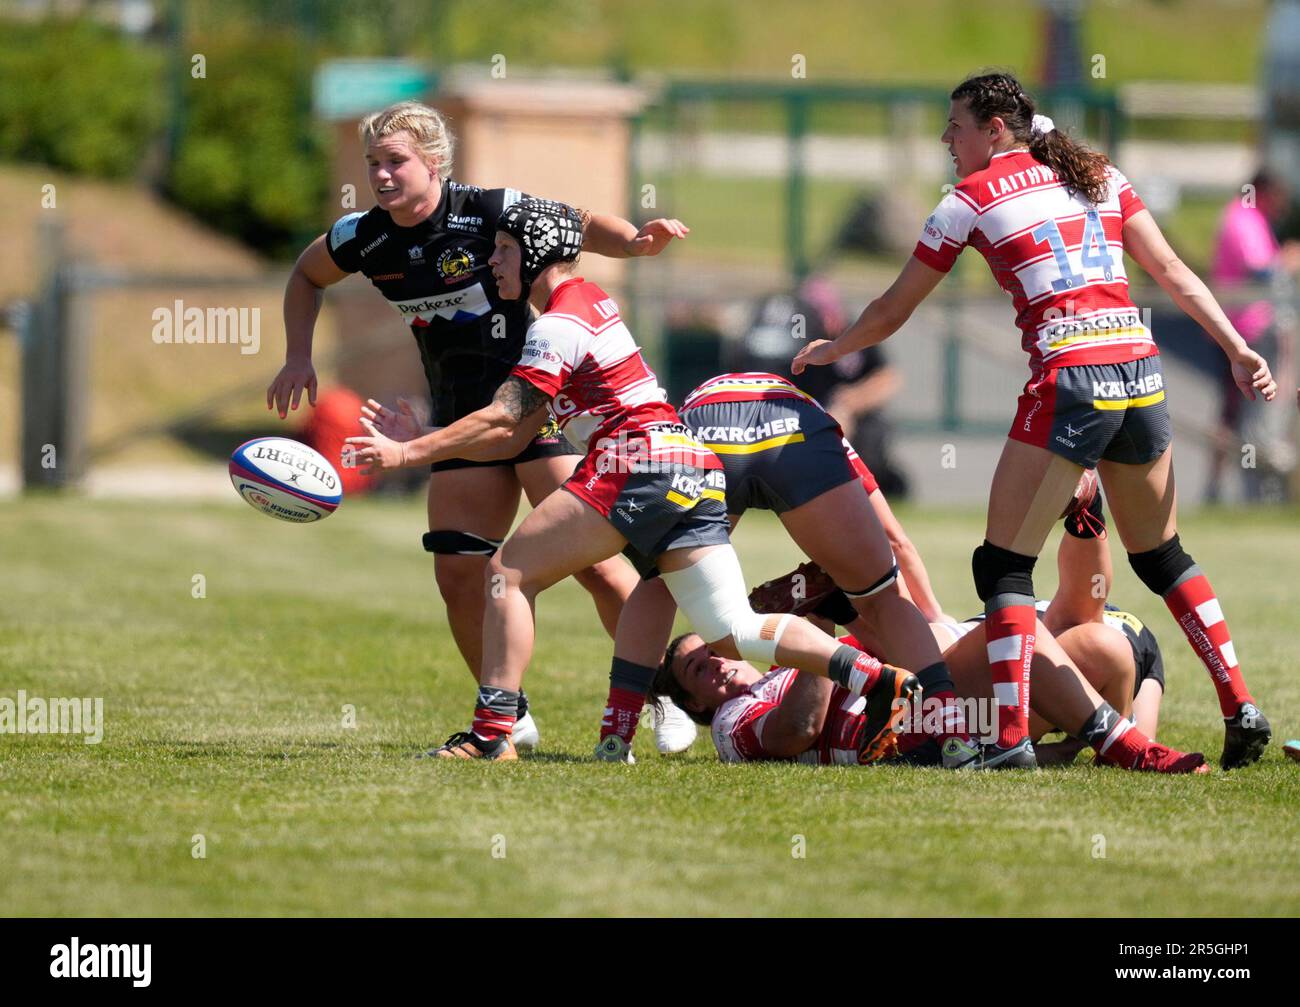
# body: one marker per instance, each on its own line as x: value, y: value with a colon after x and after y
x: 1060, y: 258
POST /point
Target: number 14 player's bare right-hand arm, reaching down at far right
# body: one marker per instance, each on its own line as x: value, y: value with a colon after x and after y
x: 1145, y: 241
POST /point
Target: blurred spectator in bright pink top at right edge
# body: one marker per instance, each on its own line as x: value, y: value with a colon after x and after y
x: 1247, y: 255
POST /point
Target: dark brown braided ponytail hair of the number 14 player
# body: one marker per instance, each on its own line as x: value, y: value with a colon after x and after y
x: 1000, y: 94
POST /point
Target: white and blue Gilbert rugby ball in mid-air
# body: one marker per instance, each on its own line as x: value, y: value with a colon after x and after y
x: 287, y: 480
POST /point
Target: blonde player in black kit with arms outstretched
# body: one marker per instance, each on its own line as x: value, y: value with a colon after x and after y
x: 426, y: 248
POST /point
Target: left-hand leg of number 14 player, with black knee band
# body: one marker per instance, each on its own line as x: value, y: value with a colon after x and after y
x: 1032, y: 488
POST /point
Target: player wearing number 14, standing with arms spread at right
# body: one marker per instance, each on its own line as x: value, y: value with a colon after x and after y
x: 1055, y: 220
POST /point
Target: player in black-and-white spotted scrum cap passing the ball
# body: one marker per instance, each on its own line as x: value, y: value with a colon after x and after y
x: 647, y: 485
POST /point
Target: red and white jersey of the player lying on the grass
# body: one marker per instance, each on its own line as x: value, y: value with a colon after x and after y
x: 738, y: 726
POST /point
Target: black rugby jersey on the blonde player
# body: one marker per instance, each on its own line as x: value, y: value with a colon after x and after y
x: 436, y: 275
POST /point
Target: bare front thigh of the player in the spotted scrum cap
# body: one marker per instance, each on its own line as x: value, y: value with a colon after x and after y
x: 561, y: 537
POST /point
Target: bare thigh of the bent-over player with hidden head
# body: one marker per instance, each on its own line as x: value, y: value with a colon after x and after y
x: 840, y: 532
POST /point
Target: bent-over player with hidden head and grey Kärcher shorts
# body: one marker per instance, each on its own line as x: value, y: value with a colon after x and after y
x: 782, y: 452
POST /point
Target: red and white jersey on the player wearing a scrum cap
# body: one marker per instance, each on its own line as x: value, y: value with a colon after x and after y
x: 582, y: 354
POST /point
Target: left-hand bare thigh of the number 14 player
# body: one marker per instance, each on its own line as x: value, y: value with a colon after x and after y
x: 1032, y: 488
